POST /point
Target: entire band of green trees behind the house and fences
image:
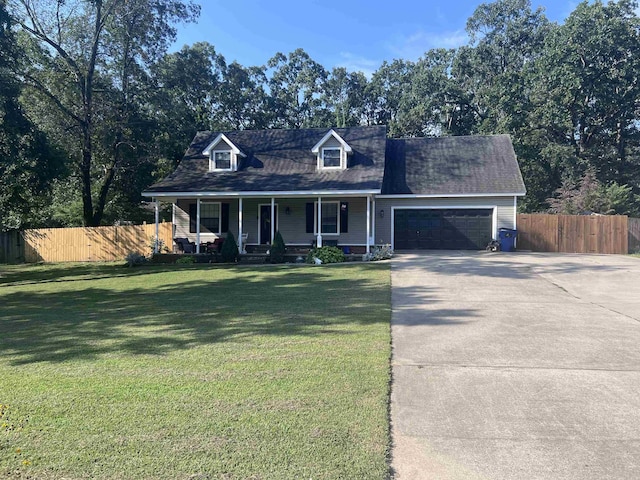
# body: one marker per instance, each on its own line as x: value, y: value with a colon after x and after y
x: 95, y: 108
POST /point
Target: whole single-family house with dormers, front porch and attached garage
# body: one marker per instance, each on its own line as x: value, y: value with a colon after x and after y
x: 352, y: 187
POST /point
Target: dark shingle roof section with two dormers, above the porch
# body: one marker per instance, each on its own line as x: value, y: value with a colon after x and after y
x: 281, y: 160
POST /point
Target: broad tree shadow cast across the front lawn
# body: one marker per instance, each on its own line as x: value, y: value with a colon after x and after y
x: 76, y: 321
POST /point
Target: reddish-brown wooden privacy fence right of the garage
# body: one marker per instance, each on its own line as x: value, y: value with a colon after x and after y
x: 540, y: 232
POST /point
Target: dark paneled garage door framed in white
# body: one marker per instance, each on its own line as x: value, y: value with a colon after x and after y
x: 442, y: 229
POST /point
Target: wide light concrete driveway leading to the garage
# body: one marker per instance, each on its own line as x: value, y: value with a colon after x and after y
x: 515, y: 366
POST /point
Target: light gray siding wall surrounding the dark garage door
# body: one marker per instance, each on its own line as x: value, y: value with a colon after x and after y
x: 504, y: 206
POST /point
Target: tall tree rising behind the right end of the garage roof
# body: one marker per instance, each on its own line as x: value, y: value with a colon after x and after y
x: 495, y: 75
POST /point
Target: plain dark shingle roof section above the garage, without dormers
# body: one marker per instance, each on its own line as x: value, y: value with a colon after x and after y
x: 452, y: 166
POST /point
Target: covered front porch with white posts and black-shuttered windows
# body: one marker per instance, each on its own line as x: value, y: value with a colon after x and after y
x: 347, y: 220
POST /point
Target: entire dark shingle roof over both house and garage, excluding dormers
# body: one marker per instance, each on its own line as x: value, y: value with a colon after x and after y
x: 282, y: 161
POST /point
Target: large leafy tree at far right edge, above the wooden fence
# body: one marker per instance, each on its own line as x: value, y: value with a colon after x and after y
x: 588, y: 91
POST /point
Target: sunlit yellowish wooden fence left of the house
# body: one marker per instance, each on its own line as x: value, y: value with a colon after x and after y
x: 91, y: 244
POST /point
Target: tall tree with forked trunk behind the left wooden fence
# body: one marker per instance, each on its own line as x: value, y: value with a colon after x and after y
x: 85, y: 60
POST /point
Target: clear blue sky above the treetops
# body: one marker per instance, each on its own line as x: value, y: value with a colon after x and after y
x: 358, y: 35
